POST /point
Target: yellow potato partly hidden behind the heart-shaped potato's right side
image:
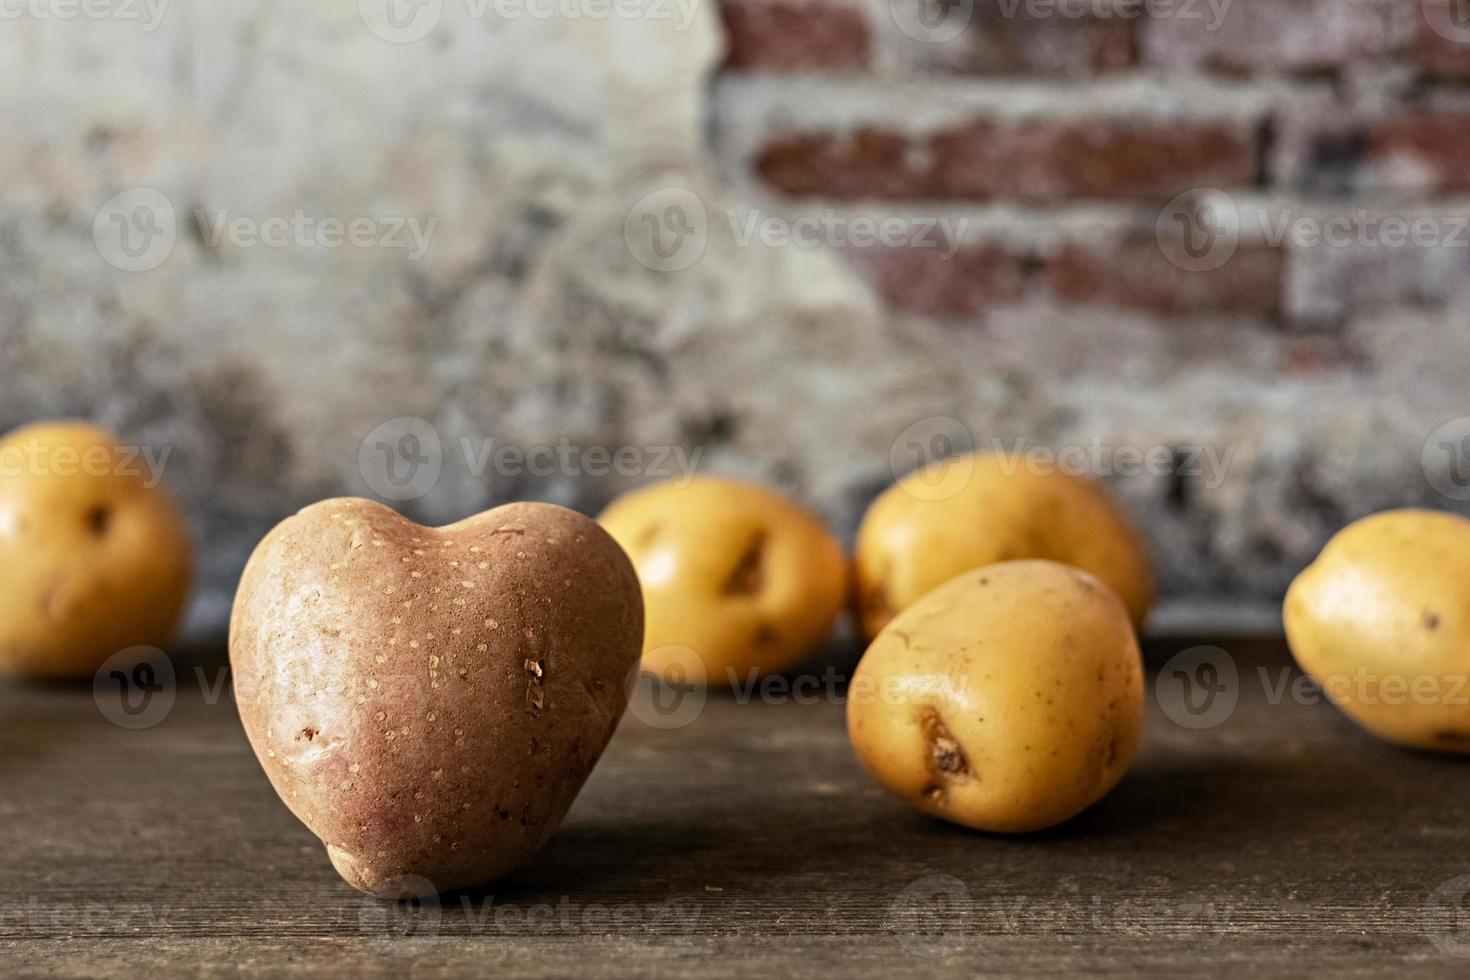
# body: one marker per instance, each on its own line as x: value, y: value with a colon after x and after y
x: 736, y: 578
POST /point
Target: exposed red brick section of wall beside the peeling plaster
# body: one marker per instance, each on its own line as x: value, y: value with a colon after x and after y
x: 1091, y: 146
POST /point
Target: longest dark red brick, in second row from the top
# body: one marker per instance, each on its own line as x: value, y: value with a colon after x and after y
x: 1028, y: 159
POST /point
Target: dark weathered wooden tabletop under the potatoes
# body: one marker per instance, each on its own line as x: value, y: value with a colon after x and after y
x: 1278, y: 841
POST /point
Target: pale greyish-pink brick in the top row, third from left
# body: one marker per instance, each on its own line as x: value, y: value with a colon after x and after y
x: 1280, y: 36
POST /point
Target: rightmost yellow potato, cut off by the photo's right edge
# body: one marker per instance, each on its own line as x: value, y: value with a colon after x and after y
x: 1383, y: 622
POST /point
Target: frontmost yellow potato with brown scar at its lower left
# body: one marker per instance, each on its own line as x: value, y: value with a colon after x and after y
x: 1008, y: 700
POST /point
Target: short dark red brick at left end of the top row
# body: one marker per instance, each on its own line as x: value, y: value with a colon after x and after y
x: 795, y: 36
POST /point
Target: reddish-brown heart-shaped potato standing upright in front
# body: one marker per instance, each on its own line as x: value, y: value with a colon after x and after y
x: 430, y: 702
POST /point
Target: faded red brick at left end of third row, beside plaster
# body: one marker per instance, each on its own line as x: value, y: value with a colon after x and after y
x: 934, y: 283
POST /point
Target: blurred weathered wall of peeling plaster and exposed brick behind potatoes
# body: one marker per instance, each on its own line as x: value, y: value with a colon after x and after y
x: 1211, y: 253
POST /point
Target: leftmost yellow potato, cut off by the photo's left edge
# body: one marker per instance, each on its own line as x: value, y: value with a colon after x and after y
x: 95, y: 559
